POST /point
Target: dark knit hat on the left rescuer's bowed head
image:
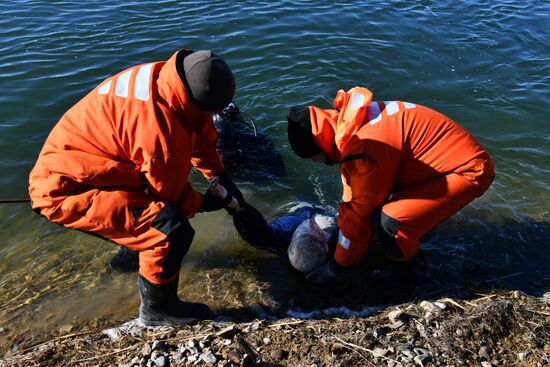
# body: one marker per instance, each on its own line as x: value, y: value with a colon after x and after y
x: 210, y: 80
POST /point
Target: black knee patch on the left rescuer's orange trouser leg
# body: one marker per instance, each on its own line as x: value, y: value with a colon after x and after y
x: 175, y: 225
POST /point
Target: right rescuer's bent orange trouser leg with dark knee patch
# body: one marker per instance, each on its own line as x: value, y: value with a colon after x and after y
x: 412, y: 212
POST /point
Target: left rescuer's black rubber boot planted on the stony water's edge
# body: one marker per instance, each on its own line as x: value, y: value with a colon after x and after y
x: 161, y: 306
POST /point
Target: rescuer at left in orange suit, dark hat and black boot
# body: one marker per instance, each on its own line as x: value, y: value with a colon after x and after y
x: 117, y: 163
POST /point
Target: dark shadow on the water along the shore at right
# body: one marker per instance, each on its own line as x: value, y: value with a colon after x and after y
x: 485, y: 257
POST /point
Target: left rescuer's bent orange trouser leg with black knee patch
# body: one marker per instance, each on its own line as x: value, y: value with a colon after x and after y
x: 159, y: 231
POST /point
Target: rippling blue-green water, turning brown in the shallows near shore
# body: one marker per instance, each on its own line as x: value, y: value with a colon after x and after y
x: 486, y: 64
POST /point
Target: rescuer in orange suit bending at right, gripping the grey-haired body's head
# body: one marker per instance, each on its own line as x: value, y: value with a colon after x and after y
x: 405, y: 168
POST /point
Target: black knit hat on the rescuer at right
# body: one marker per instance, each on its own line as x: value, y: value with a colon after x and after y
x: 300, y: 136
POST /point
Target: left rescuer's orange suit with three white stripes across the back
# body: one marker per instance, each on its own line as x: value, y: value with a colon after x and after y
x: 121, y: 154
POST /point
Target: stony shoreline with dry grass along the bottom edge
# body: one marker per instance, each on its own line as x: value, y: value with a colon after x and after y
x: 501, y: 329
